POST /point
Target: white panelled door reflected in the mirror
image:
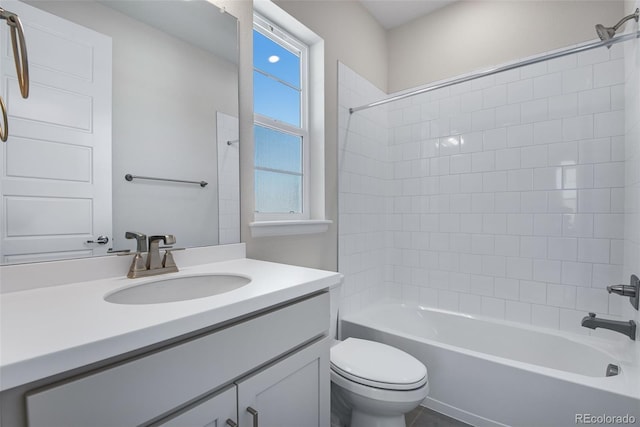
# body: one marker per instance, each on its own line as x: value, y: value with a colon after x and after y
x: 55, y: 169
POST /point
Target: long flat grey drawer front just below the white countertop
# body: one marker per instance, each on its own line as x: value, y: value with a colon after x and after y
x: 137, y: 391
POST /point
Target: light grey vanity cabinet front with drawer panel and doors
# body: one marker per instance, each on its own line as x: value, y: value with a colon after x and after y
x: 275, y: 362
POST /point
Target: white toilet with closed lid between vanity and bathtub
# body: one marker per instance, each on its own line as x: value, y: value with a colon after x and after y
x: 373, y: 382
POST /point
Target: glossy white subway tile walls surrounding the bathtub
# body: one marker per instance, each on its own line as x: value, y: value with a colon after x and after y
x: 510, y: 196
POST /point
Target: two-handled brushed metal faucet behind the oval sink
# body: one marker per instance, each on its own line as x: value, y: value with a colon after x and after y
x: 154, y: 263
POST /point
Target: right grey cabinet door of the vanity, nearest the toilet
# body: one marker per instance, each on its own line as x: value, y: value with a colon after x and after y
x: 293, y: 392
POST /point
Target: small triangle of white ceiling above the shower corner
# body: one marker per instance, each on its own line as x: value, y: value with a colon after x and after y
x: 393, y: 13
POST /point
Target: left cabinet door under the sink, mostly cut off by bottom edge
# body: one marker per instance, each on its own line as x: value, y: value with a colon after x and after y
x: 213, y: 412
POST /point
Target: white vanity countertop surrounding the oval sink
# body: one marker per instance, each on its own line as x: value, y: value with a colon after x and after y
x: 50, y: 330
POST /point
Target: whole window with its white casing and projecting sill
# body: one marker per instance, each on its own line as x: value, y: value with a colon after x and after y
x: 289, y: 173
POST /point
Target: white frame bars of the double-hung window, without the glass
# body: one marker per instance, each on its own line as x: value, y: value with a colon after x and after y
x: 293, y: 44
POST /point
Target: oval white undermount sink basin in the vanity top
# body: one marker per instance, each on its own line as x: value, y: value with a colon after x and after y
x: 177, y: 289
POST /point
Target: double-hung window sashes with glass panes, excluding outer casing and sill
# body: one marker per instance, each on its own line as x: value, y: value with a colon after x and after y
x: 281, y: 135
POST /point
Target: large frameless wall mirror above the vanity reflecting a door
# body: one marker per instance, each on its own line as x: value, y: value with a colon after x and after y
x: 122, y: 93
